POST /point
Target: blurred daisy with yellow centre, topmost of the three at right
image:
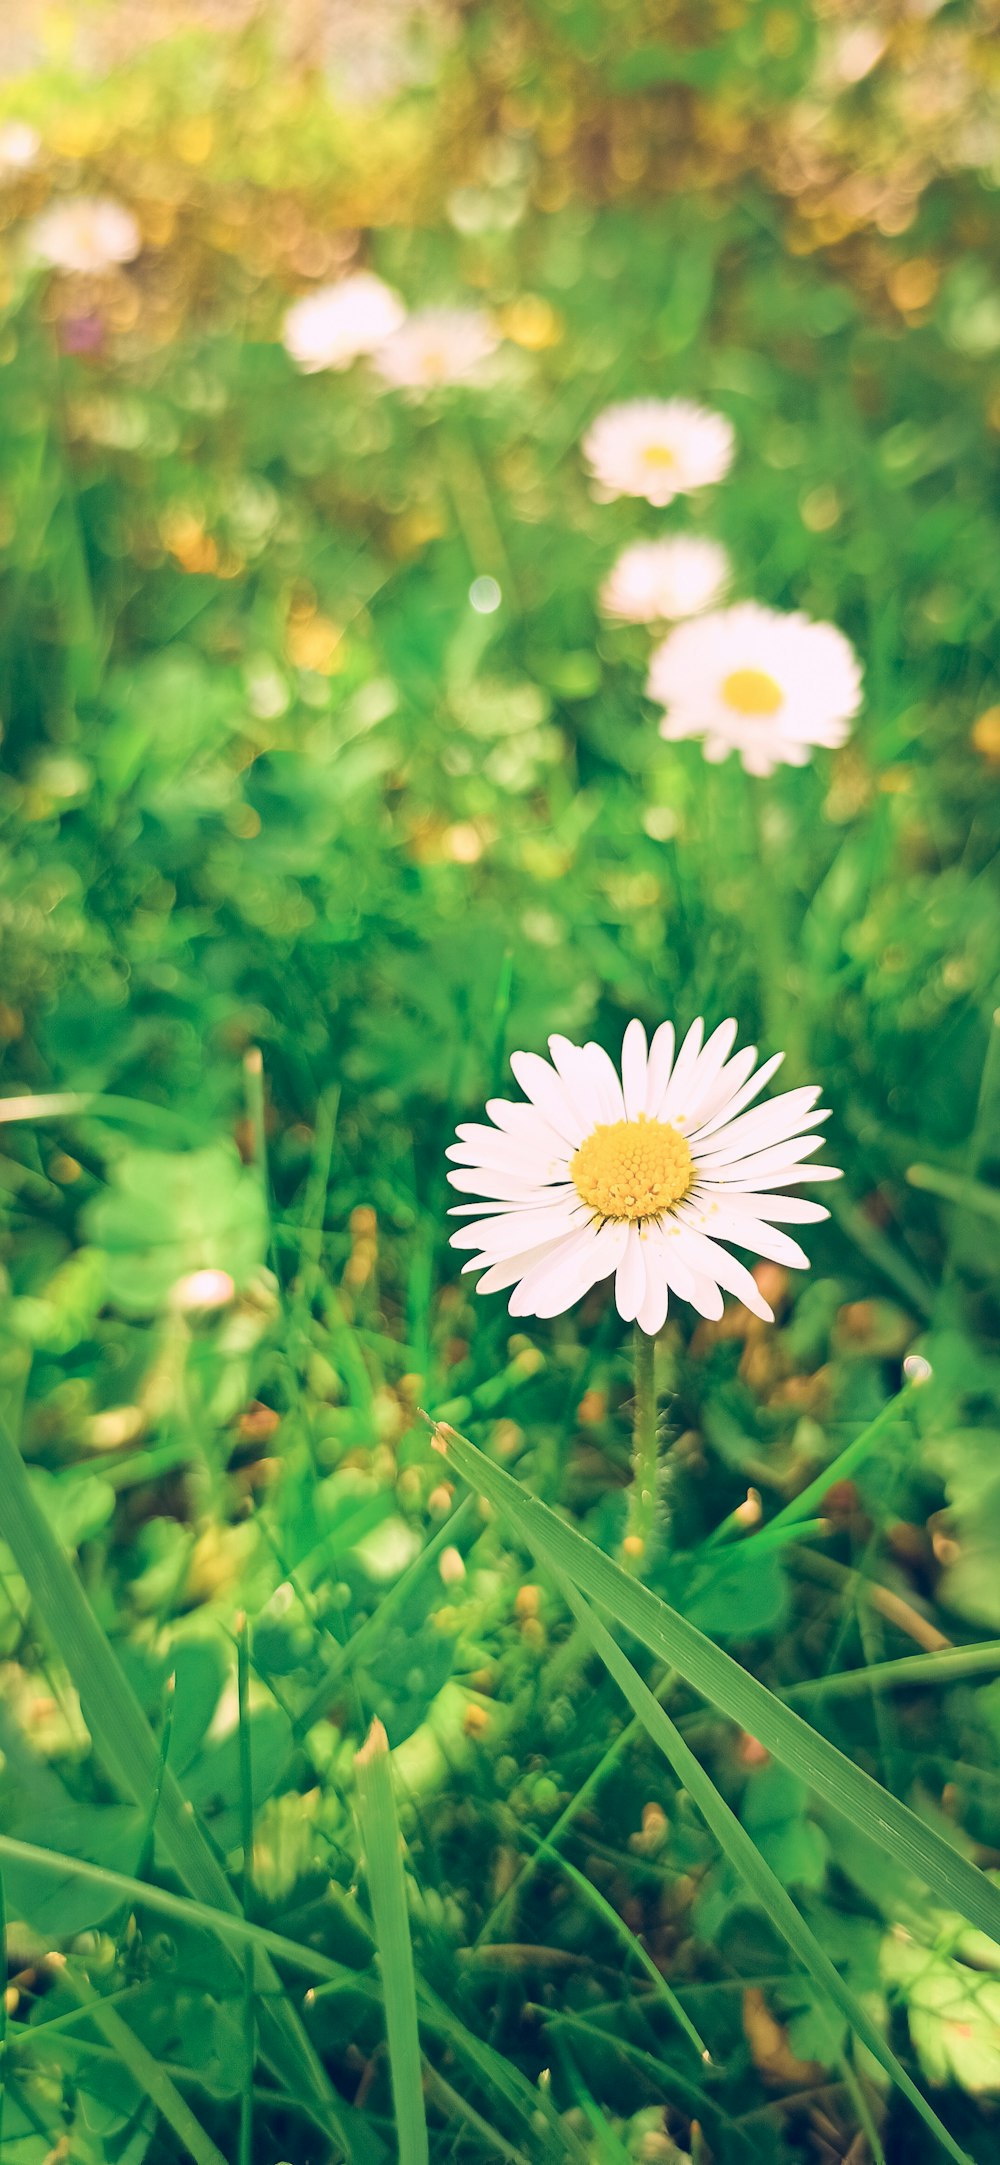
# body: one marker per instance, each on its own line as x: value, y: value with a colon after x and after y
x: 657, y: 449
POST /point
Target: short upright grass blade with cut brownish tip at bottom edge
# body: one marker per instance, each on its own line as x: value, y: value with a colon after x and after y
x: 389, y: 1891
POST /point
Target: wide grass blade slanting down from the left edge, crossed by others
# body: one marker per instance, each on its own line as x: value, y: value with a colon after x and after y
x: 127, y: 1746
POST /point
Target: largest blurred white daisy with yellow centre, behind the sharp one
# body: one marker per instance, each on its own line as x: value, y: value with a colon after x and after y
x: 756, y: 683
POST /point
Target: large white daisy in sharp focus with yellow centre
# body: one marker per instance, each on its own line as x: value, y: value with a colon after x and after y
x: 650, y: 1177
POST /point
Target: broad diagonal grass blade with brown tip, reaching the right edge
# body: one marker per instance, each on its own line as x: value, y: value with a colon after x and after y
x: 728, y: 1688
